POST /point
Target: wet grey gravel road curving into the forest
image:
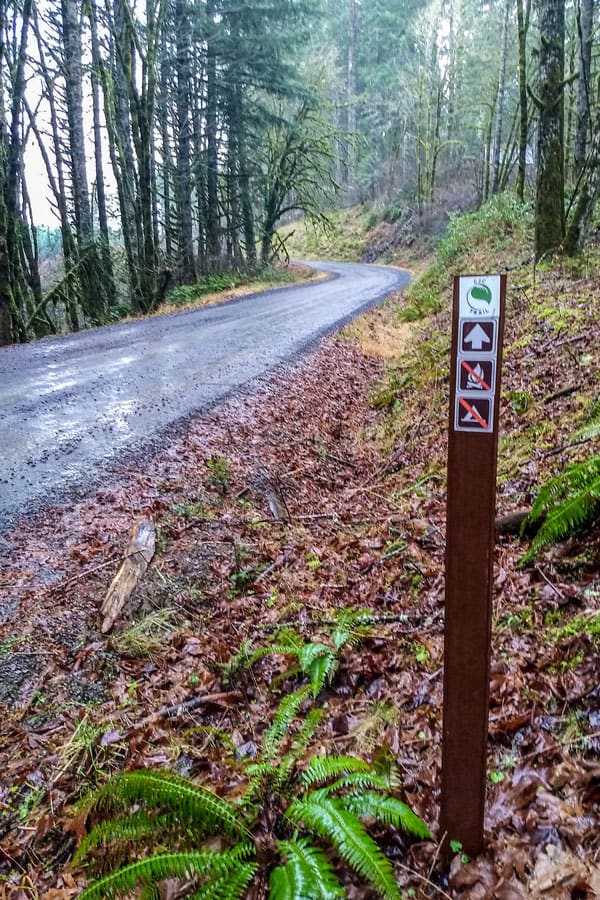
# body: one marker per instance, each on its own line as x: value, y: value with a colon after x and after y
x: 70, y: 404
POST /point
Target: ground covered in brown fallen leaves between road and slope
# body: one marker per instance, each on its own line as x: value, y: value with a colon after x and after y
x: 323, y: 490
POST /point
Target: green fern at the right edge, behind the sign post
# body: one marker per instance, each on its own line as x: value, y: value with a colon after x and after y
x: 566, y: 504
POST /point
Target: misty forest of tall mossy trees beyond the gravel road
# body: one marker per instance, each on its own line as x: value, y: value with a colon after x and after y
x: 172, y: 137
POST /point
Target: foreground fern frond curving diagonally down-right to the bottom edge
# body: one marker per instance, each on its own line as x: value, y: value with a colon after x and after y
x: 330, y: 820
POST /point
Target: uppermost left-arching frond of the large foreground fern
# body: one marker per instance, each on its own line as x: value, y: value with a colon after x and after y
x: 160, y: 789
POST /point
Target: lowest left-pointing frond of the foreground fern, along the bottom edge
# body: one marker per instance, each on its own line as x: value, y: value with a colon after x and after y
x: 192, y: 864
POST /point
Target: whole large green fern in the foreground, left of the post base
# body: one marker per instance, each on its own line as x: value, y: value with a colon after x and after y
x: 274, y: 834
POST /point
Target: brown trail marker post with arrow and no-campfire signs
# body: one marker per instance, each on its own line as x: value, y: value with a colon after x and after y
x: 477, y: 331
